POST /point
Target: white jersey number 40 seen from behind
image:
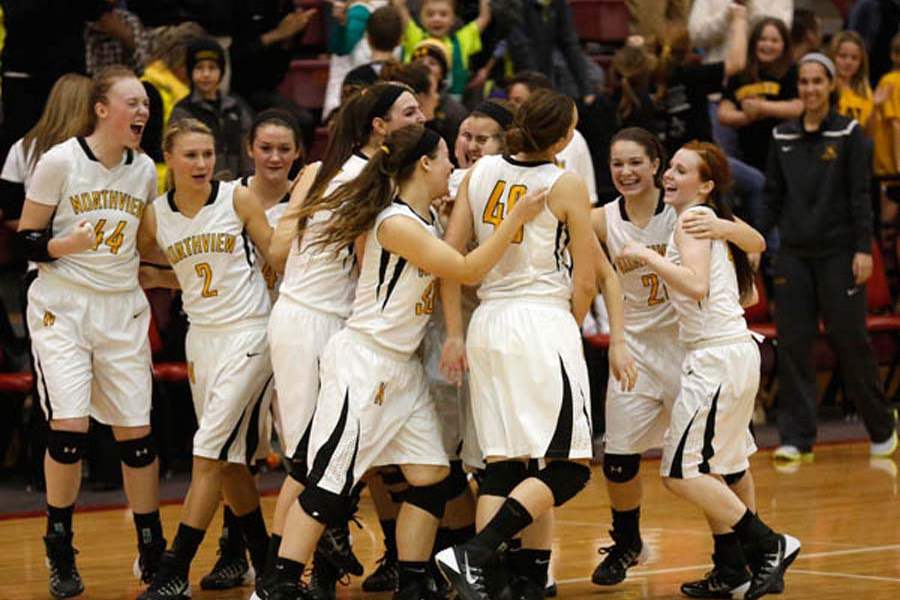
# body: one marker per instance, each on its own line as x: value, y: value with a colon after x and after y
x: 537, y: 263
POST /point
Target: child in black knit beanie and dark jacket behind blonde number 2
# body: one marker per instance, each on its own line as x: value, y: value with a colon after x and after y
x: 227, y: 116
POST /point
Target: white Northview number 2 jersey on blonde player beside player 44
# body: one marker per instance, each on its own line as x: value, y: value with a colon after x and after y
x: 213, y: 259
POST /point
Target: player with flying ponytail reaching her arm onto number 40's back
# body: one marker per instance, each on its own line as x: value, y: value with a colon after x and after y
x: 373, y: 407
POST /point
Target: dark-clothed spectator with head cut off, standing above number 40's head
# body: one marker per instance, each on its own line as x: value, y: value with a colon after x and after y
x: 546, y: 28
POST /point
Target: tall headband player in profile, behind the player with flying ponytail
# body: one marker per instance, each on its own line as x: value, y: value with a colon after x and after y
x: 316, y: 298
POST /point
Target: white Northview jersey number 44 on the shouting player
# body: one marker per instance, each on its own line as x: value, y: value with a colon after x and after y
x: 112, y: 200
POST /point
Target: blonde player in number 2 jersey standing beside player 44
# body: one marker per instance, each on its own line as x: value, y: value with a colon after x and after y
x: 203, y: 228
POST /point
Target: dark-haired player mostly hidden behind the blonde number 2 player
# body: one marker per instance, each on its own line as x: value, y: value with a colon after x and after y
x: 274, y: 145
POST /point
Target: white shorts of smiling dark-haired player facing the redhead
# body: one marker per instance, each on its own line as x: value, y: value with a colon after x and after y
x: 636, y: 420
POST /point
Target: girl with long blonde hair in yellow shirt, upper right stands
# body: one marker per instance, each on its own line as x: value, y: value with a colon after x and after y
x: 851, y: 61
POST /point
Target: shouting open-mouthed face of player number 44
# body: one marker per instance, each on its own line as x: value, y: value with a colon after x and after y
x: 125, y: 112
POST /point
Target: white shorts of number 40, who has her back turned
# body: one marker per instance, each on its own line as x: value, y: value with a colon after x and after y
x: 528, y: 380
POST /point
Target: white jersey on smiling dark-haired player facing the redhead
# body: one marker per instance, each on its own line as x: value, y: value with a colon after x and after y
x: 647, y: 305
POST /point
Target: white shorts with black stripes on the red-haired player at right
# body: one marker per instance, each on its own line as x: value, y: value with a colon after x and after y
x: 710, y: 426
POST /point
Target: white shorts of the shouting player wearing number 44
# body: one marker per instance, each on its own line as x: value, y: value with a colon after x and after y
x: 91, y: 352
